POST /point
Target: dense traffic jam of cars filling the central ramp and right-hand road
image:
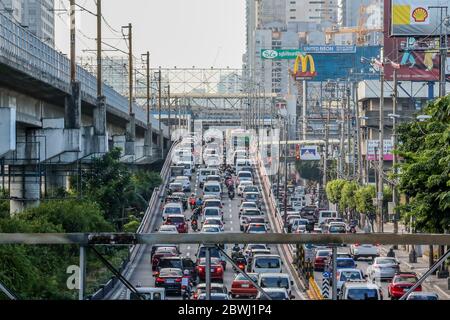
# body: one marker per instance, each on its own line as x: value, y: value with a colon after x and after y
x: 208, y: 194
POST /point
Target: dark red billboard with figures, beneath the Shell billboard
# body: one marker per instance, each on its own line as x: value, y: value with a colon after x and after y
x: 418, y: 57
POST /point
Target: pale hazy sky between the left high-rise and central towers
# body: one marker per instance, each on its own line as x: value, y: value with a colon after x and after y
x: 182, y: 33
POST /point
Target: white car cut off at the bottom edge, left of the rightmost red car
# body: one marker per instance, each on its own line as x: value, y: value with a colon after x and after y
x: 360, y: 290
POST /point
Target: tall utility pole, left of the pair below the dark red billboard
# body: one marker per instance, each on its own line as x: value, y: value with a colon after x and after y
x: 381, y: 147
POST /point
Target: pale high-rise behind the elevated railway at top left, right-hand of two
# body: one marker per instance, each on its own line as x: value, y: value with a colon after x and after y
x: 39, y: 17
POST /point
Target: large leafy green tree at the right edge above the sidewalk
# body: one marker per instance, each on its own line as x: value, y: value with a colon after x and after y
x: 425, y: 170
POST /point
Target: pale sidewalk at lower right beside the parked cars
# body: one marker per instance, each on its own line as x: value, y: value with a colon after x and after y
x: 432, y: 283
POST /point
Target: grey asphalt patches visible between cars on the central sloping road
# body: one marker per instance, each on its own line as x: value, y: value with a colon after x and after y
x: 141, y: 273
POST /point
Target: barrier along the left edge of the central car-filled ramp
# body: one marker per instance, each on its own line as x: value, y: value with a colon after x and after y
x: 146, y: 224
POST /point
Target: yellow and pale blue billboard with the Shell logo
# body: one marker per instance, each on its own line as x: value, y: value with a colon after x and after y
x: 417, y: 18
